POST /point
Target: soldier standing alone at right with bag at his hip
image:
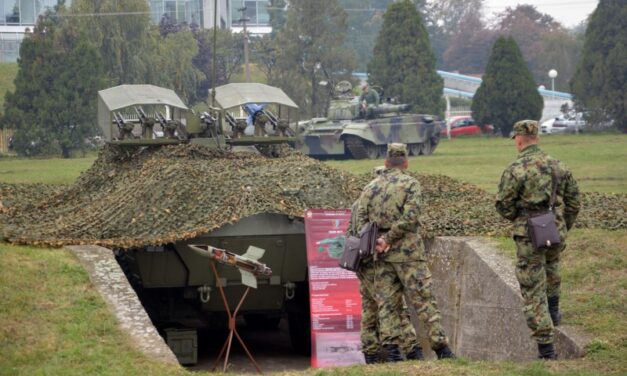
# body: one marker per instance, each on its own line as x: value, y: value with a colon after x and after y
x: 525, y: 189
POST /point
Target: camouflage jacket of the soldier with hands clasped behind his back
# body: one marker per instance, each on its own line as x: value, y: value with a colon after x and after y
x: 392, y: 200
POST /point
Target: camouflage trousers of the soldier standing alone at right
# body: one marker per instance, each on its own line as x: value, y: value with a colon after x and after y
x: 538, y: 276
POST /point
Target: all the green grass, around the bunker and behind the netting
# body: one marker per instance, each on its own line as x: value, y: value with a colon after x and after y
x: 52, y: 321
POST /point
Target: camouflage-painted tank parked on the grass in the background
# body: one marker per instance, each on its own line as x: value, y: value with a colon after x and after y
x: 355, y: 130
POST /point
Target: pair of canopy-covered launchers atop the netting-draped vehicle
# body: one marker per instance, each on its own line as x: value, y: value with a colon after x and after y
x: 240, y: 114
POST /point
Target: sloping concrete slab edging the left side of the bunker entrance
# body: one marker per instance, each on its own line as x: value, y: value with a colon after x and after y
x: 110, y: 281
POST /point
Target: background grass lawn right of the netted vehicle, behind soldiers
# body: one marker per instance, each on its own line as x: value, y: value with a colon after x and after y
x: 597, y: 161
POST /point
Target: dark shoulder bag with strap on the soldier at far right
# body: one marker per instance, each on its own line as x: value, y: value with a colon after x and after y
x: 543, y: 227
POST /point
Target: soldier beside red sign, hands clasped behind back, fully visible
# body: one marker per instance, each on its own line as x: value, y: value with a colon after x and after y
x: 392, y: 200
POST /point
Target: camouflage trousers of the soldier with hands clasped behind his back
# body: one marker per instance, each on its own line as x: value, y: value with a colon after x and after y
x: 414, y: 280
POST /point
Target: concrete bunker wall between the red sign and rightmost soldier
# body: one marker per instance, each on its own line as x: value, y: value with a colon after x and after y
x: 481, y: 306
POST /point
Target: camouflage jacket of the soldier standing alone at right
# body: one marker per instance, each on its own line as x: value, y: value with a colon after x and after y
x: 525, y: 189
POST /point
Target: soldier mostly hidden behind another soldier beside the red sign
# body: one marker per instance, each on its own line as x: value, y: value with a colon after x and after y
x: 370, y: 343
